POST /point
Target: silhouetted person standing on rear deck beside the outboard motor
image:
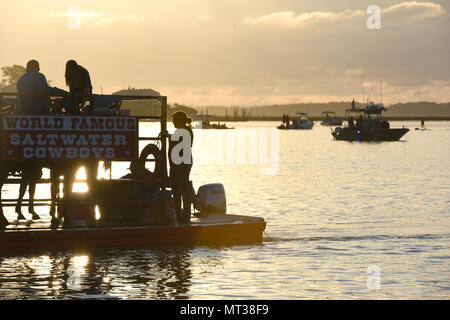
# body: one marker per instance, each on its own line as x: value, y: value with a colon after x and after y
x: 181, y: 164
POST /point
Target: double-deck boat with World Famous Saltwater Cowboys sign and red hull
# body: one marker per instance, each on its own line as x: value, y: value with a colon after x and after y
x: 113, y: 212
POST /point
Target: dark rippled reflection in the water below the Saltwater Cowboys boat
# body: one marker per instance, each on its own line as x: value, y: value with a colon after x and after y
x: 161, y: 273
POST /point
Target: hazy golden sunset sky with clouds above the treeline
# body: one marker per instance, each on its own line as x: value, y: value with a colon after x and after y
x: 234, y: 52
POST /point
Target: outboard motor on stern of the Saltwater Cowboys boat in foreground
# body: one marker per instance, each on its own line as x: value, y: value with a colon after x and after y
x: 212, y: 198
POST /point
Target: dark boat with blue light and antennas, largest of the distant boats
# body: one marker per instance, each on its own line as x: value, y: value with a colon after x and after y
x: 369, y: 126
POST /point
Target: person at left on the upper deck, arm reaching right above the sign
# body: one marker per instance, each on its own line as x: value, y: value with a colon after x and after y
x: 34, y: 82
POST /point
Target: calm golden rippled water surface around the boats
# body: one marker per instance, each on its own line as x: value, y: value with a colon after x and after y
x: 345, y: 221
